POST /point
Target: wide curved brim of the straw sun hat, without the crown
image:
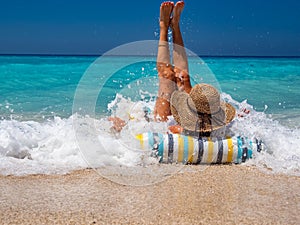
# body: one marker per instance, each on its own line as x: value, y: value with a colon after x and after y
x: 190, y: 120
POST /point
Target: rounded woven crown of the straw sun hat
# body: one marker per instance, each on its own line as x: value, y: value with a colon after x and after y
x: 205, y: 99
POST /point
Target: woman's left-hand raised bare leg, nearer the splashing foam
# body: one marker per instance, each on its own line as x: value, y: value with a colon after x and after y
x: 165, y: 70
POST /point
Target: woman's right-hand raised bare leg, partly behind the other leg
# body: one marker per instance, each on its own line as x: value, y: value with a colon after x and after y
x: 179, y: 54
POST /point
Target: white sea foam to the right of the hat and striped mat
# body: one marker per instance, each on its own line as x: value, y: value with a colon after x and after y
x: 282, y: 143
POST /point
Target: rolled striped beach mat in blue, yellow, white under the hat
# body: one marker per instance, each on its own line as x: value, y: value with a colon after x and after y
x: 177, y: 148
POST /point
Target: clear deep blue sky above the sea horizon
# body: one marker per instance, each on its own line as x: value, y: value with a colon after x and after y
x: 214, y: 27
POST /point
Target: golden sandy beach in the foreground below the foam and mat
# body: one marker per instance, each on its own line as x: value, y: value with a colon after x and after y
x: 227, y: 194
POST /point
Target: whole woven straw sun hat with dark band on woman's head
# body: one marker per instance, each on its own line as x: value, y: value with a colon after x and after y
x: 202, y: 110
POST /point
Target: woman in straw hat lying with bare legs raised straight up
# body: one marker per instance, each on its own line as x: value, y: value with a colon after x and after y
x: 199, y: 110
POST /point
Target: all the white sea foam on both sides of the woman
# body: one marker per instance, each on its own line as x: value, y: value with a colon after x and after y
x: 53, y: 146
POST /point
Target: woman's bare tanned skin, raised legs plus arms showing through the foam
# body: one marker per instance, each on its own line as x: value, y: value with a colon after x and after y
x: 169, y: 78
